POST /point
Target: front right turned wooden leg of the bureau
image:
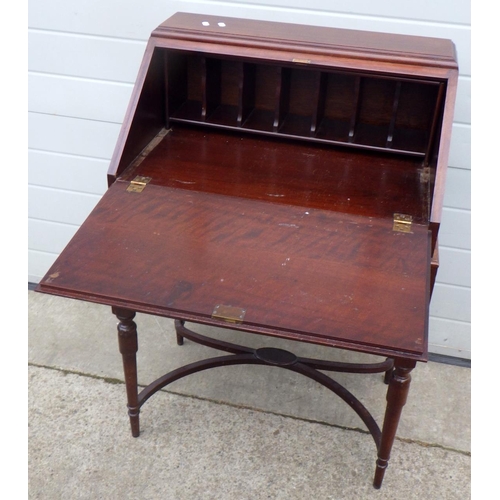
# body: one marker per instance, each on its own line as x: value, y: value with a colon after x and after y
x: 397, y: 393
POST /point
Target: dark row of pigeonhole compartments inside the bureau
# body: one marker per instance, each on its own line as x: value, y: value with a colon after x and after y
x: 358, y: 110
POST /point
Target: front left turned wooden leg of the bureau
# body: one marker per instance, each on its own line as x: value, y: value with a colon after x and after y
x: 127, y: 341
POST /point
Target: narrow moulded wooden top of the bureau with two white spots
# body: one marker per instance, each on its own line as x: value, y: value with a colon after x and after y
x: 265, y: 35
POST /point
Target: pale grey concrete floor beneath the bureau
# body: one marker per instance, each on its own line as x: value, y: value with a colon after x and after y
x: 239, y: 433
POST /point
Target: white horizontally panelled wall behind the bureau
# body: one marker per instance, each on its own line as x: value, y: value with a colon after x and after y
x: 83, y: 60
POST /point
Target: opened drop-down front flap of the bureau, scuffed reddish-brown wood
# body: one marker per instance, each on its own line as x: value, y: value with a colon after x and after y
x: 298, y: 272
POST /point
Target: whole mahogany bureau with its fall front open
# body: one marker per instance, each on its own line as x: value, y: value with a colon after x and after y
x: 280, y: 180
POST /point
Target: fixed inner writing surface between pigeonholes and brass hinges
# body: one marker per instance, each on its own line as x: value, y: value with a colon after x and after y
x: 274, y: 170
